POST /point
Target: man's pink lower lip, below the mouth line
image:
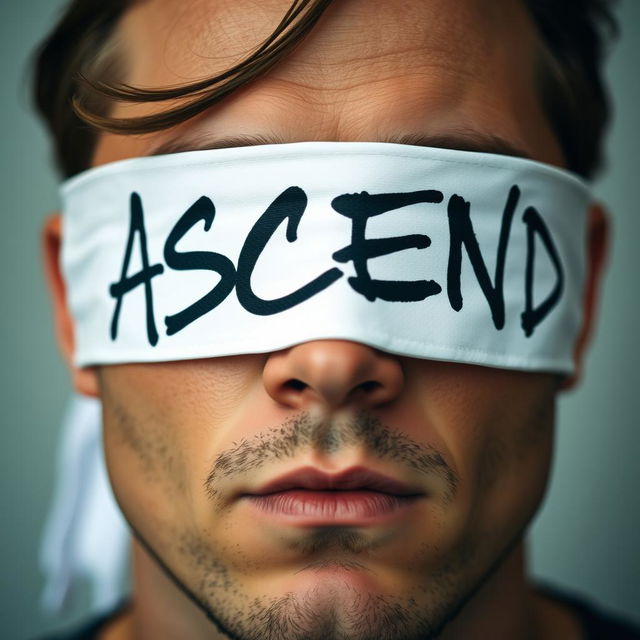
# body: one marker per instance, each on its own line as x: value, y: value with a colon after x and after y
x: 333, y: 507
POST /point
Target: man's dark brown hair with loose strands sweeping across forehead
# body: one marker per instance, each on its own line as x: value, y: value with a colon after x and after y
x: 77, y: 70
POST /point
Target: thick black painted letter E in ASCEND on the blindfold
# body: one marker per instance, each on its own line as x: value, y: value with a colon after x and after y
x: 359, y: 207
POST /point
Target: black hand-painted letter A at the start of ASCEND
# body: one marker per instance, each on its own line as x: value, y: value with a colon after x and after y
x: 126, y: 283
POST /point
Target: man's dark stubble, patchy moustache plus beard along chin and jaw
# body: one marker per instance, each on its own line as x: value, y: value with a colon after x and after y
x: 337, y: 611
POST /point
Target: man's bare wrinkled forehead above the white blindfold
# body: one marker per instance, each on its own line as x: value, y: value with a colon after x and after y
x: 370, y: 69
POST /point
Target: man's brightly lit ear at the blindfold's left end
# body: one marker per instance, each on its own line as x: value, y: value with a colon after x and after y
x: 84, y: 379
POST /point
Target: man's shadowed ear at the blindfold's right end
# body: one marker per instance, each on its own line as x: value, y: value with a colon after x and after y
x: 597, y: 251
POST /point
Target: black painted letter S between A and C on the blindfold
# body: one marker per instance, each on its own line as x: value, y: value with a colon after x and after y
x: 201, y: 210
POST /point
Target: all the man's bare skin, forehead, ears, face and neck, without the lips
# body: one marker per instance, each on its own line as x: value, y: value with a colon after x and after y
x: 370, y: 71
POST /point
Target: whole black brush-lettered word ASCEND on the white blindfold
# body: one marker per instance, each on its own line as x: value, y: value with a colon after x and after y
x: 289, y: 207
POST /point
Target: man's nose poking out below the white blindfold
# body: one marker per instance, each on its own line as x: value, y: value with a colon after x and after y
x: 332, y: 374
